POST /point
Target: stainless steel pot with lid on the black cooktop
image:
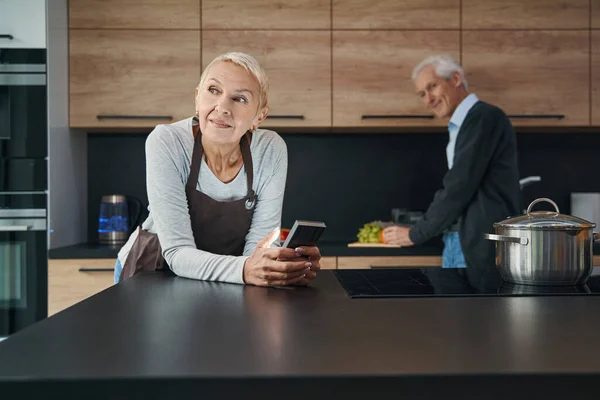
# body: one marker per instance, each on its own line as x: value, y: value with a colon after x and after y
x: 544, y: 248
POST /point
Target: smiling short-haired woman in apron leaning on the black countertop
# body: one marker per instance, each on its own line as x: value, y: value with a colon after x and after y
x: 215, y: 188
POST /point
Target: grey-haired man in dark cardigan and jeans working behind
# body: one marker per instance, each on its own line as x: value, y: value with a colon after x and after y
x: 482, y: 183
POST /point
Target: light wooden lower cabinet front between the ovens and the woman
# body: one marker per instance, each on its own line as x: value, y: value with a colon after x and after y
x: 72, y: 281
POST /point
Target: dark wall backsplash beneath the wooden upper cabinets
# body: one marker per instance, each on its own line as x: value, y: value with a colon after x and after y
x: 347, y: 180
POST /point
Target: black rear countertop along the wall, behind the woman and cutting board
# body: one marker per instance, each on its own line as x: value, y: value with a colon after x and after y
x: 328, y: 248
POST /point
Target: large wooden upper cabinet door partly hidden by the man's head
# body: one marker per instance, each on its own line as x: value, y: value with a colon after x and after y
x: 372, y: 83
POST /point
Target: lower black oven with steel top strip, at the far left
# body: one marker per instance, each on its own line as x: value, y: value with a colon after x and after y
x: 23, y: 268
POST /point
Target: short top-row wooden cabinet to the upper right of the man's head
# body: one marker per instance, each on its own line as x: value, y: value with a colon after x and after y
x: 525, y: 14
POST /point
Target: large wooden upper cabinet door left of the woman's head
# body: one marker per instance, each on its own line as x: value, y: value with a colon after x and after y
x: 127, y: 78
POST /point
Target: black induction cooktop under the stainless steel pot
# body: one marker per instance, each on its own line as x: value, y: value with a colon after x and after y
x: 444, y: 282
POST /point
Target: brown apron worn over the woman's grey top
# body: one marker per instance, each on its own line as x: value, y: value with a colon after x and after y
x: 218, y: 227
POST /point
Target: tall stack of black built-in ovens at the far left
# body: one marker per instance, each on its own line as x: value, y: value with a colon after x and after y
x: 23, y: 189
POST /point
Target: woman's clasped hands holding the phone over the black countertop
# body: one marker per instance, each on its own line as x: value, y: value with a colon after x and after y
x: 276, y: 266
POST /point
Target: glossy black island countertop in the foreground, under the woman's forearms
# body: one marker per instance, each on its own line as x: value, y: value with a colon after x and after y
x: 155, y: 336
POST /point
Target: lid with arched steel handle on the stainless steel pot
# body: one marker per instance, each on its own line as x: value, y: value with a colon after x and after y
x: 545, y: 219
